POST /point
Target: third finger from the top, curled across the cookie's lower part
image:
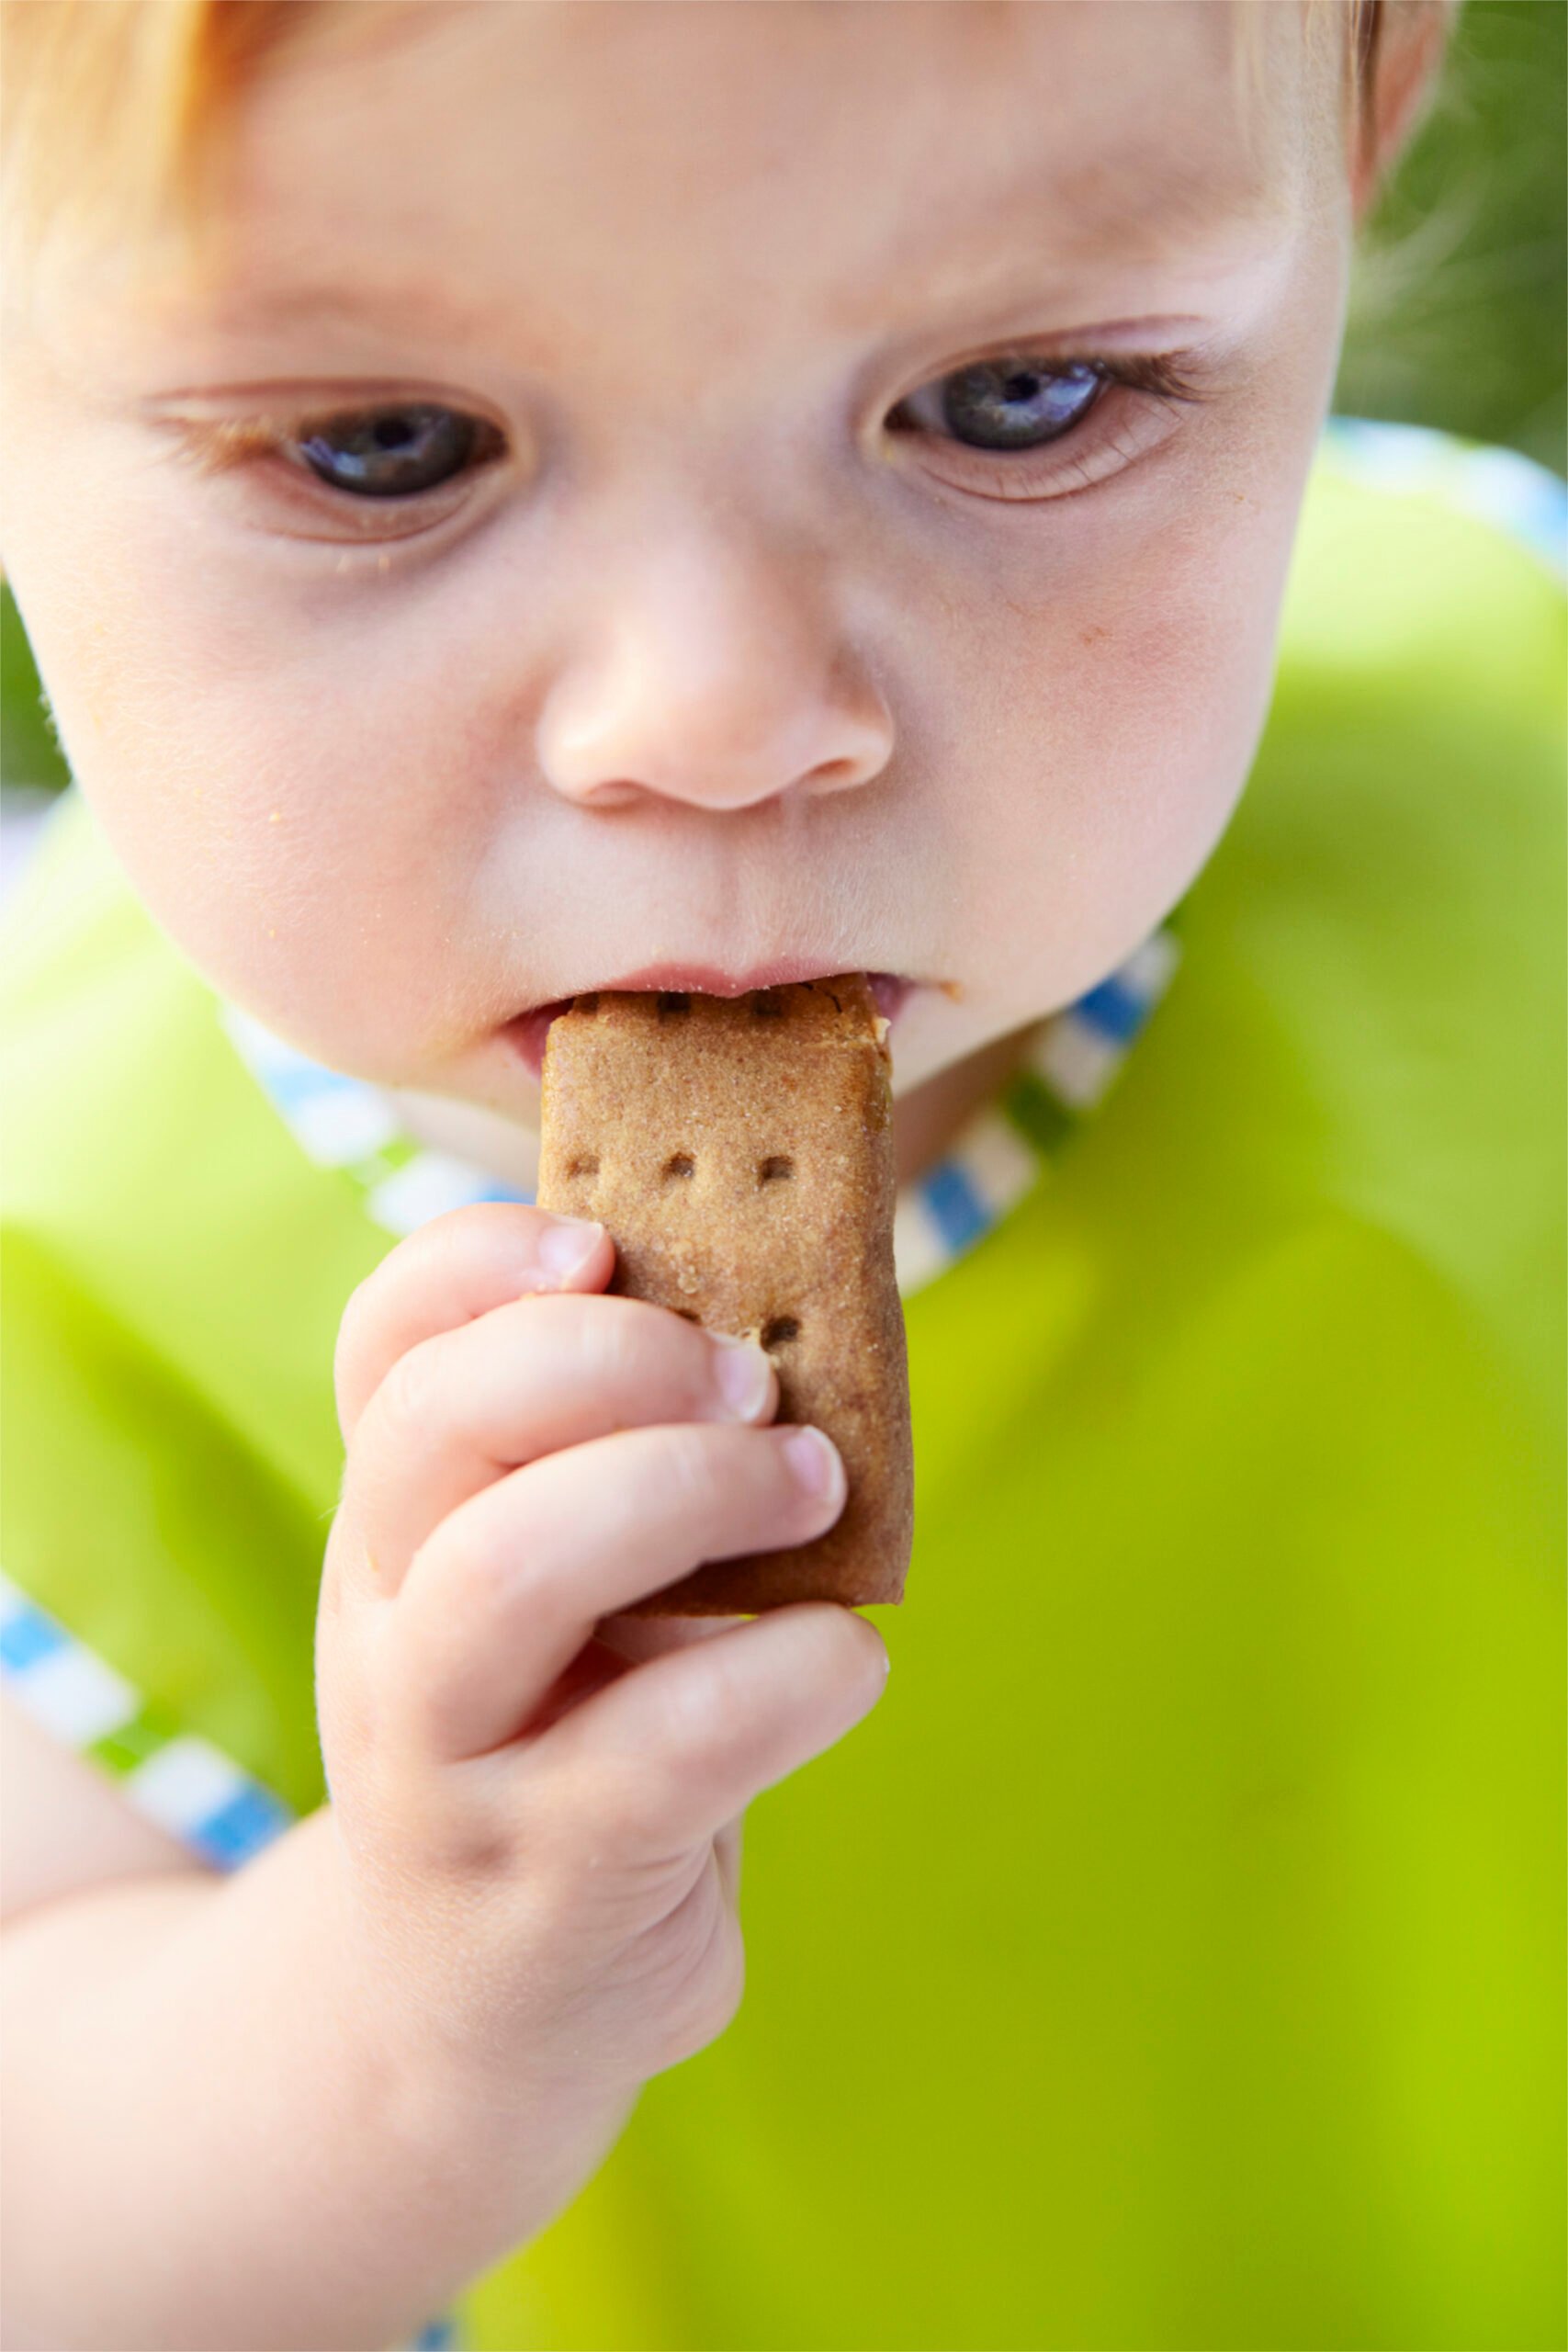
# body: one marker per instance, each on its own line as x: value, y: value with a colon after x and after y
x: 511, y: 1586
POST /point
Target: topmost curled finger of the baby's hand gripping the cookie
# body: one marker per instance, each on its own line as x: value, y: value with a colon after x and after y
x: 448, y: 1274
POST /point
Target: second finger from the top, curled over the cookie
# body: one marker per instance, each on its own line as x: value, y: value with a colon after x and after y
x: 530, y: 1379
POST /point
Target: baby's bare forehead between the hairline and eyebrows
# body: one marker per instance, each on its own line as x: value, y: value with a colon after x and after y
x: 481, y: 159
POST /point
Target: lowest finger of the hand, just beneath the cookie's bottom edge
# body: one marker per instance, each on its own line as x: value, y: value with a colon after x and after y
x: 671, y: 1753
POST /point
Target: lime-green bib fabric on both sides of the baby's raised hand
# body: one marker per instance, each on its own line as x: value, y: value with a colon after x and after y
x: 1174, y: 1960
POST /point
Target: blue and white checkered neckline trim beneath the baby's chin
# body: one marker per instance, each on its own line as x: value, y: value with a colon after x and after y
x: 351, y: 1125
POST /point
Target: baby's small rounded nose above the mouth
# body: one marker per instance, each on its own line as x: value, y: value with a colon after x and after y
x: 711, y: 679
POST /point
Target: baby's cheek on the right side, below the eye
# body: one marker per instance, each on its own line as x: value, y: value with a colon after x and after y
x: 1125, y: 721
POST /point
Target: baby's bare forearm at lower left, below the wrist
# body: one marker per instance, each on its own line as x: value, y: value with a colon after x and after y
x: 210, y: 2146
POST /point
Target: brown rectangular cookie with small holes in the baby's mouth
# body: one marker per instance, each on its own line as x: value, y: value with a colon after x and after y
x: 742, y: 1156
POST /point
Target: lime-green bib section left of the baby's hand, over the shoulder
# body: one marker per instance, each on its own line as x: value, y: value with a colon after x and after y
x: 173, y: 1281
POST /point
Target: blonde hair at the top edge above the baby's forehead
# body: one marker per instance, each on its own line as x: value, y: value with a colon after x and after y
x: 114, y: 112
